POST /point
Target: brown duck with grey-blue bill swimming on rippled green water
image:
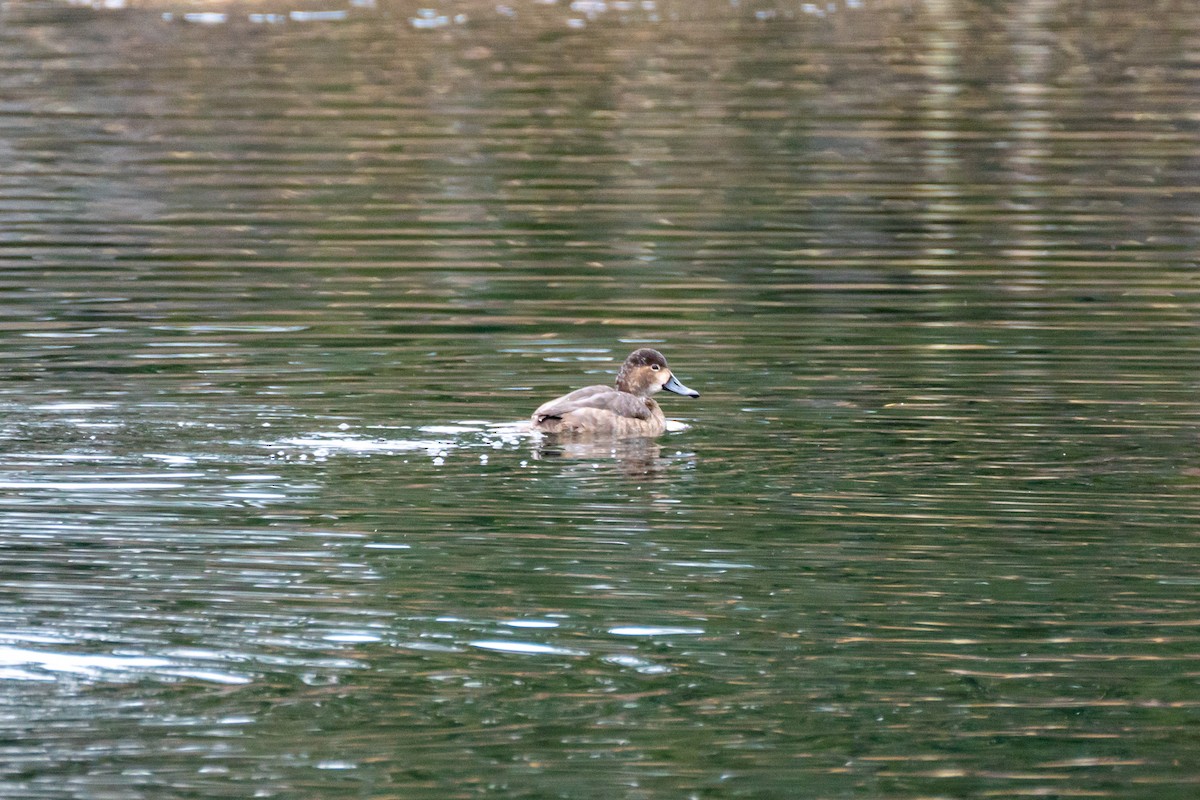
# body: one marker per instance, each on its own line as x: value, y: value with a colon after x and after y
x: 623, y: 412
